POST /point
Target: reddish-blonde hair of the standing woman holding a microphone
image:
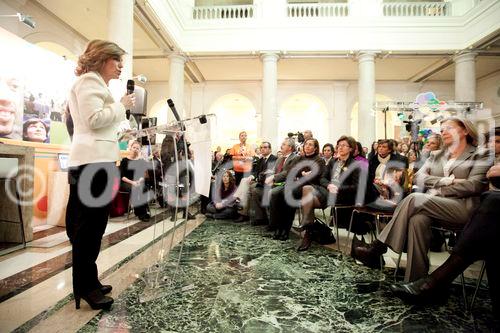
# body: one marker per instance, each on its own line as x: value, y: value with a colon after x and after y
x: 96, y: 54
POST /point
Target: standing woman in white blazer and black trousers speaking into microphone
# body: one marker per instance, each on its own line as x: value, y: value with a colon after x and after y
x: 92, y: 165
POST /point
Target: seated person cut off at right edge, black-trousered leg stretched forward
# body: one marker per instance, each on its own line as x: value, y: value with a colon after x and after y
x: 476, y: 242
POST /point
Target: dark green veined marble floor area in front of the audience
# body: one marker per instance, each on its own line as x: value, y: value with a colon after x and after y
x: 232, y: 279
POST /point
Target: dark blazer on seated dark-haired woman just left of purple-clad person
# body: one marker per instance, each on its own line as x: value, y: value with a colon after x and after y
x: 348, y: 183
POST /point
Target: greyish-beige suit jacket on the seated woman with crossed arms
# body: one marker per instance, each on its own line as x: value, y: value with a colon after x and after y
x: 469, y: 170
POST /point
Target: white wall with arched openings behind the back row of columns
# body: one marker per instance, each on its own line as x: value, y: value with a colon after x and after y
x: 200, y: 97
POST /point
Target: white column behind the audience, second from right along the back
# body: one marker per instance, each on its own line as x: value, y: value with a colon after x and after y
x: 366, y: 97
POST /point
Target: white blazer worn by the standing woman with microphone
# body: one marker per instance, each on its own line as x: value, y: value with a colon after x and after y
x: 96, y: 116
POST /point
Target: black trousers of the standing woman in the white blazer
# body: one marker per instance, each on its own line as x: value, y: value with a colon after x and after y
x: 91, y: 192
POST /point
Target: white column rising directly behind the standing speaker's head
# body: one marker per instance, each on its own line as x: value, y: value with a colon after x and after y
x: 121, y: 31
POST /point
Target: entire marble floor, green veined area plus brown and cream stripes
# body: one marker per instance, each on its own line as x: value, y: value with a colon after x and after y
x: 224, y: 277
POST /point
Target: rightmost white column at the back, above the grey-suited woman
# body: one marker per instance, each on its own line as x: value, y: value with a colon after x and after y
x: 465, y: 77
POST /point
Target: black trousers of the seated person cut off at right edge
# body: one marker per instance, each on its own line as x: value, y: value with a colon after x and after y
x: 478, y: 242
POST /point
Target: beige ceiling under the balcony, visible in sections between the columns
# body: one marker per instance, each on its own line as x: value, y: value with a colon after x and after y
x: 89, y: 17
